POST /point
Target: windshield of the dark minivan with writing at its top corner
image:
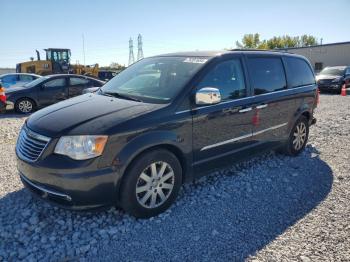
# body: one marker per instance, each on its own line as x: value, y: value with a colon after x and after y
x: 155, y: 79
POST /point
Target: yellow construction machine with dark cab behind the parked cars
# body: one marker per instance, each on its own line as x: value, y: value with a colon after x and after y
x: 57, y: 62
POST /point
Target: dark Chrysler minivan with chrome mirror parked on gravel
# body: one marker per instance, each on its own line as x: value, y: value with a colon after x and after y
x: 164, y: 121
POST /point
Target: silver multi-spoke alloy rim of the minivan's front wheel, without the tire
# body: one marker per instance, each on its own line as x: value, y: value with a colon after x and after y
x: 155, y: 184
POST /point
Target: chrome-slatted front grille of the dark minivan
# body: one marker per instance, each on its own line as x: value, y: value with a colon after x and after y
x: 30, y: 145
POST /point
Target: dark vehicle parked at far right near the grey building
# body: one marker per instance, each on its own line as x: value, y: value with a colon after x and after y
x: 333, y: 78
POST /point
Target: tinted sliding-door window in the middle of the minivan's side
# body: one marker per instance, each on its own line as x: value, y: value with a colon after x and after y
x: 267, y: 74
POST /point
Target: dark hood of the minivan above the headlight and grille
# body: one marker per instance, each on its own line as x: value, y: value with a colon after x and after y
x: 86, y: 114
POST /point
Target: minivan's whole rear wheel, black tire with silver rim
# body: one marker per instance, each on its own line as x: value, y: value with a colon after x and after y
x: 297, y: 139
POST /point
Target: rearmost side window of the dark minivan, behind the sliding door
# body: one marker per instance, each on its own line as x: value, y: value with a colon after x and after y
x: 298, y: 72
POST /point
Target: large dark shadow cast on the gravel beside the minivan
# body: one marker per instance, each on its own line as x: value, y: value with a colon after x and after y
x: 223, y: 217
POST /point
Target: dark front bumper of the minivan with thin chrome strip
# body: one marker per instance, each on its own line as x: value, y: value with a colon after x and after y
x: 77, y: 188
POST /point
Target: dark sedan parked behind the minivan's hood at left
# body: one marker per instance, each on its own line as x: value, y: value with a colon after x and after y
x: 48, y: 90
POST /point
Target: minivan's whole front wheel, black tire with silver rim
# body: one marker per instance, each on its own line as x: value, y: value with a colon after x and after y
x: 151, y: 184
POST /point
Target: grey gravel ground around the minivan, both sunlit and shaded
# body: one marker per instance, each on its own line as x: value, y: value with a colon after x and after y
x: 270, y: 208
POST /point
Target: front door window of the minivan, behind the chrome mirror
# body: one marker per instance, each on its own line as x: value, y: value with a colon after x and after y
x: 228, y: 78
